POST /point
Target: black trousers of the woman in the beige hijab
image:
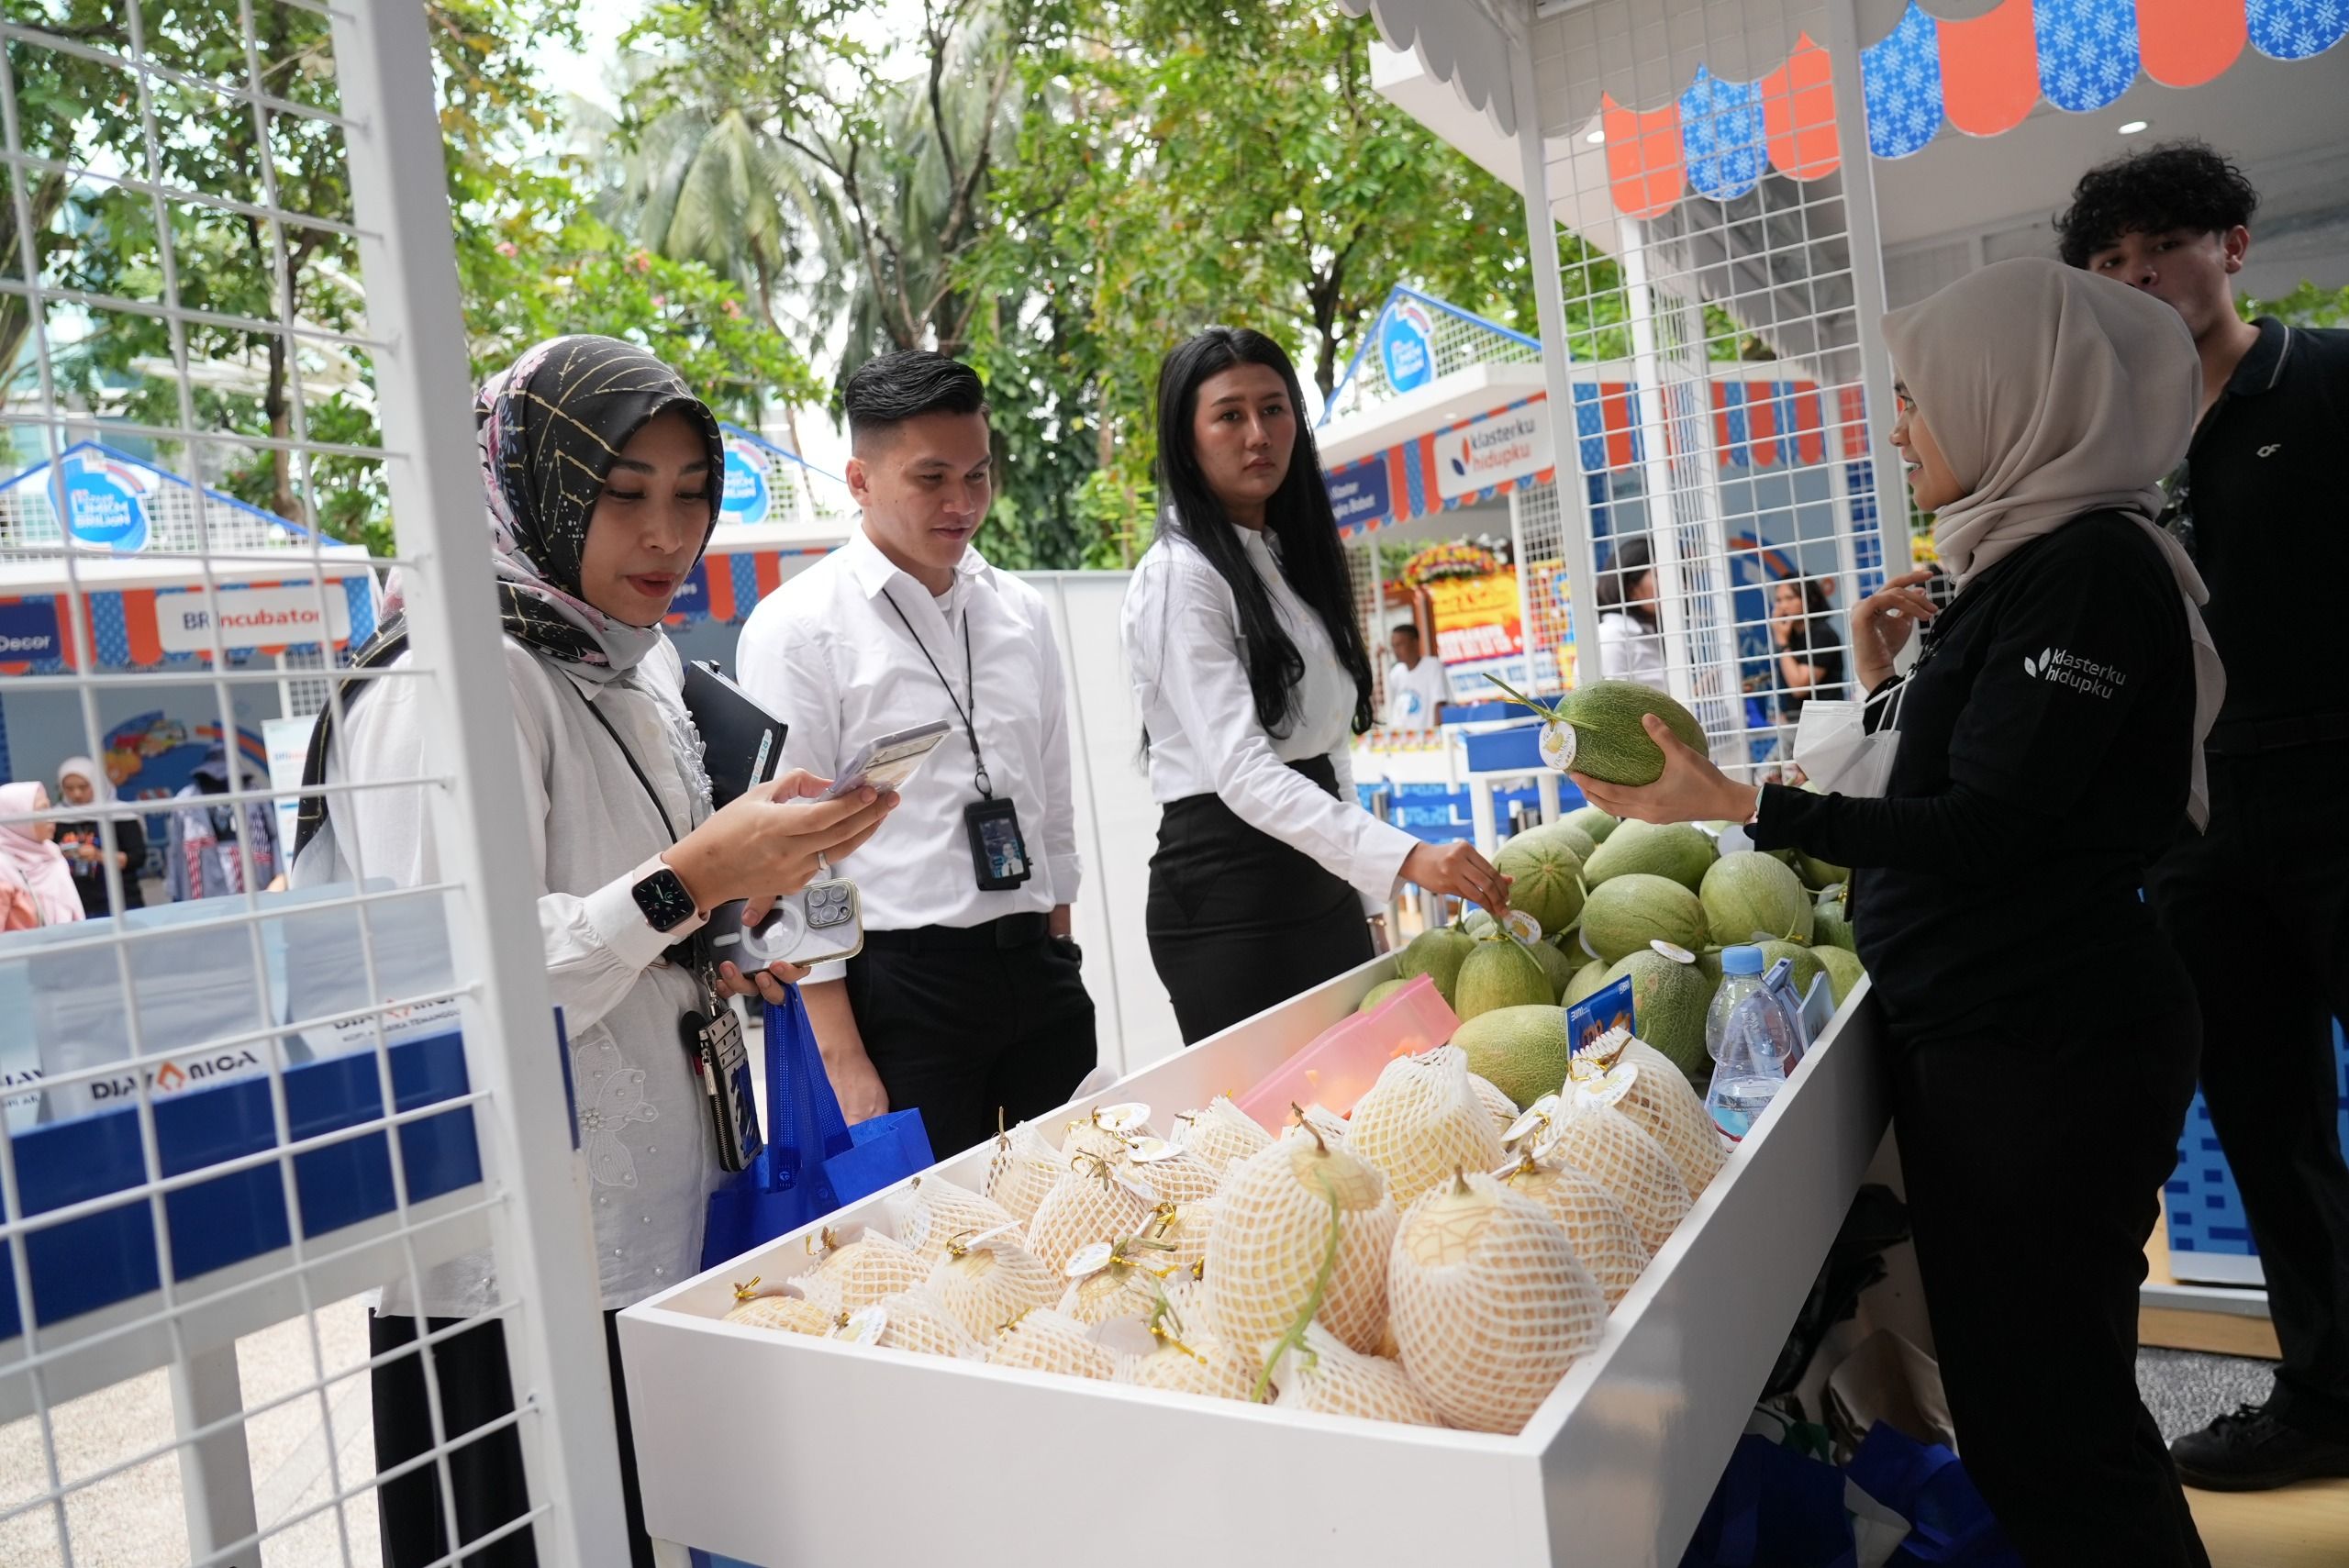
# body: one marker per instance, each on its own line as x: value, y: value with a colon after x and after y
x: 2033, y: 1161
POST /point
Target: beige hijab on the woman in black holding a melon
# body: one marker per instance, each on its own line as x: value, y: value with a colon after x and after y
x: 2057, y: 393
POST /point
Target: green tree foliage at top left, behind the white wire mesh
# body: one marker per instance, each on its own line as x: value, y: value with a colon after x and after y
x: 532, y: 257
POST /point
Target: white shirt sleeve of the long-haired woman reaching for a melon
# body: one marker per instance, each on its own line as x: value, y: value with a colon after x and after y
x: 1204, y: 682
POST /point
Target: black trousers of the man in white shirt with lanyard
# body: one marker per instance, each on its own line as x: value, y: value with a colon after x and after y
x: 971, y: 1022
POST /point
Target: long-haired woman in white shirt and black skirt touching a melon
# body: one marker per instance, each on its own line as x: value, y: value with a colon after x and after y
x: 1246, y: 651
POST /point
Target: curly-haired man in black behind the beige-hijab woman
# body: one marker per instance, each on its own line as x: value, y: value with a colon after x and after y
x: 2259, y: 907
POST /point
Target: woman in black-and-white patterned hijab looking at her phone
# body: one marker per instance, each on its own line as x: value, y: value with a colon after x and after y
x: 603, y: 480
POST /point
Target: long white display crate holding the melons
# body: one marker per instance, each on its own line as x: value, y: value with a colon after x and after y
x: 793, y: 1452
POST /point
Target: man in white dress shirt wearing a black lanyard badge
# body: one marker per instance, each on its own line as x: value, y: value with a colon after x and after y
x: 969, y: 996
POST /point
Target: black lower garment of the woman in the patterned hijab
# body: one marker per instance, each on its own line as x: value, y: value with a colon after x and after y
x: 487, y: 1482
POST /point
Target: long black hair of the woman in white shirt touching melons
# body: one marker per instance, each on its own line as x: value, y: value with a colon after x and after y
x: 1298, y: 515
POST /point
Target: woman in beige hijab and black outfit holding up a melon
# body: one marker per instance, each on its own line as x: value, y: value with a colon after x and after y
x: 2050, y: 748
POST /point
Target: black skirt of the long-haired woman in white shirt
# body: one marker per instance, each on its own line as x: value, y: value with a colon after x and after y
x: 1241, y: 921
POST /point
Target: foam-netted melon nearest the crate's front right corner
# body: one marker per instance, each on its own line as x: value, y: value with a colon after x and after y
x: 1490, y: 1304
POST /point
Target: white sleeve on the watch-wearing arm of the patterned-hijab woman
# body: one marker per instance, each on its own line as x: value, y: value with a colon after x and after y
x: 598, y: 945
